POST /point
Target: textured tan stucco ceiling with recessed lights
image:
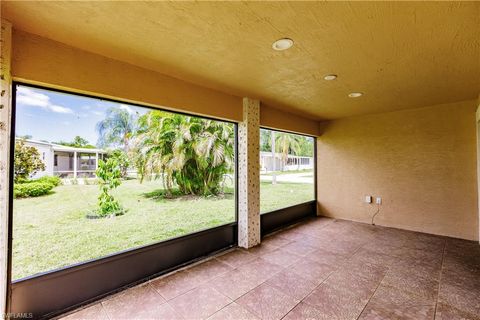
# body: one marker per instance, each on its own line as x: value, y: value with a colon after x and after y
x: 400, y: 54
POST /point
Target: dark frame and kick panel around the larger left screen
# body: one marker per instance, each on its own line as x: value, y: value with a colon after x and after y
x: 19, y: 292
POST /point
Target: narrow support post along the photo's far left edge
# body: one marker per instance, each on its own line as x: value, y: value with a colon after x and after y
x: 5, y: 126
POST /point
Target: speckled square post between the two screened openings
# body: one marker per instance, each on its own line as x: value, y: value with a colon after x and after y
x: 249, y: 175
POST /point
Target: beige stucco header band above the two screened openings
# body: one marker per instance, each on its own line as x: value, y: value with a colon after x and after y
x: 42, y: 61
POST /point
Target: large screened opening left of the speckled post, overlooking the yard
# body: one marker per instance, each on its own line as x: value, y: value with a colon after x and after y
x: 171, y: 175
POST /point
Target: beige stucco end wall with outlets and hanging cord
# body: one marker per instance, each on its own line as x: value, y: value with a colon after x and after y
x: 422, y: 162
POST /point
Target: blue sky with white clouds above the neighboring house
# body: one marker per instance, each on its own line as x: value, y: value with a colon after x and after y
x: 54, y: 116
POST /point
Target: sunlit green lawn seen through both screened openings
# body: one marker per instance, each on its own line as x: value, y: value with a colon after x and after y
x: 52, y: 231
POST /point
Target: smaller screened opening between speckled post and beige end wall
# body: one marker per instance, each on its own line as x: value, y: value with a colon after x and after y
x: 286, y: 169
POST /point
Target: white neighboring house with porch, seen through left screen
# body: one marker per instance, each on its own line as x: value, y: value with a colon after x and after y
x: 65, y: 161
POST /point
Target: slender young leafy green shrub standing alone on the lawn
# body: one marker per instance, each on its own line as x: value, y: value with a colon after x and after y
x: 108, y: 174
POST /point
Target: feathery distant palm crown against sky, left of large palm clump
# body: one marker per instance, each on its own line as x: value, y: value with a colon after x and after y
x: 117, y: 128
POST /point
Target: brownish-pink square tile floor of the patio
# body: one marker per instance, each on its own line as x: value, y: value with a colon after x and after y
x: 320, y: 269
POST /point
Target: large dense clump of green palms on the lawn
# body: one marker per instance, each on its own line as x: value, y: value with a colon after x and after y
x: 193, y: 153
